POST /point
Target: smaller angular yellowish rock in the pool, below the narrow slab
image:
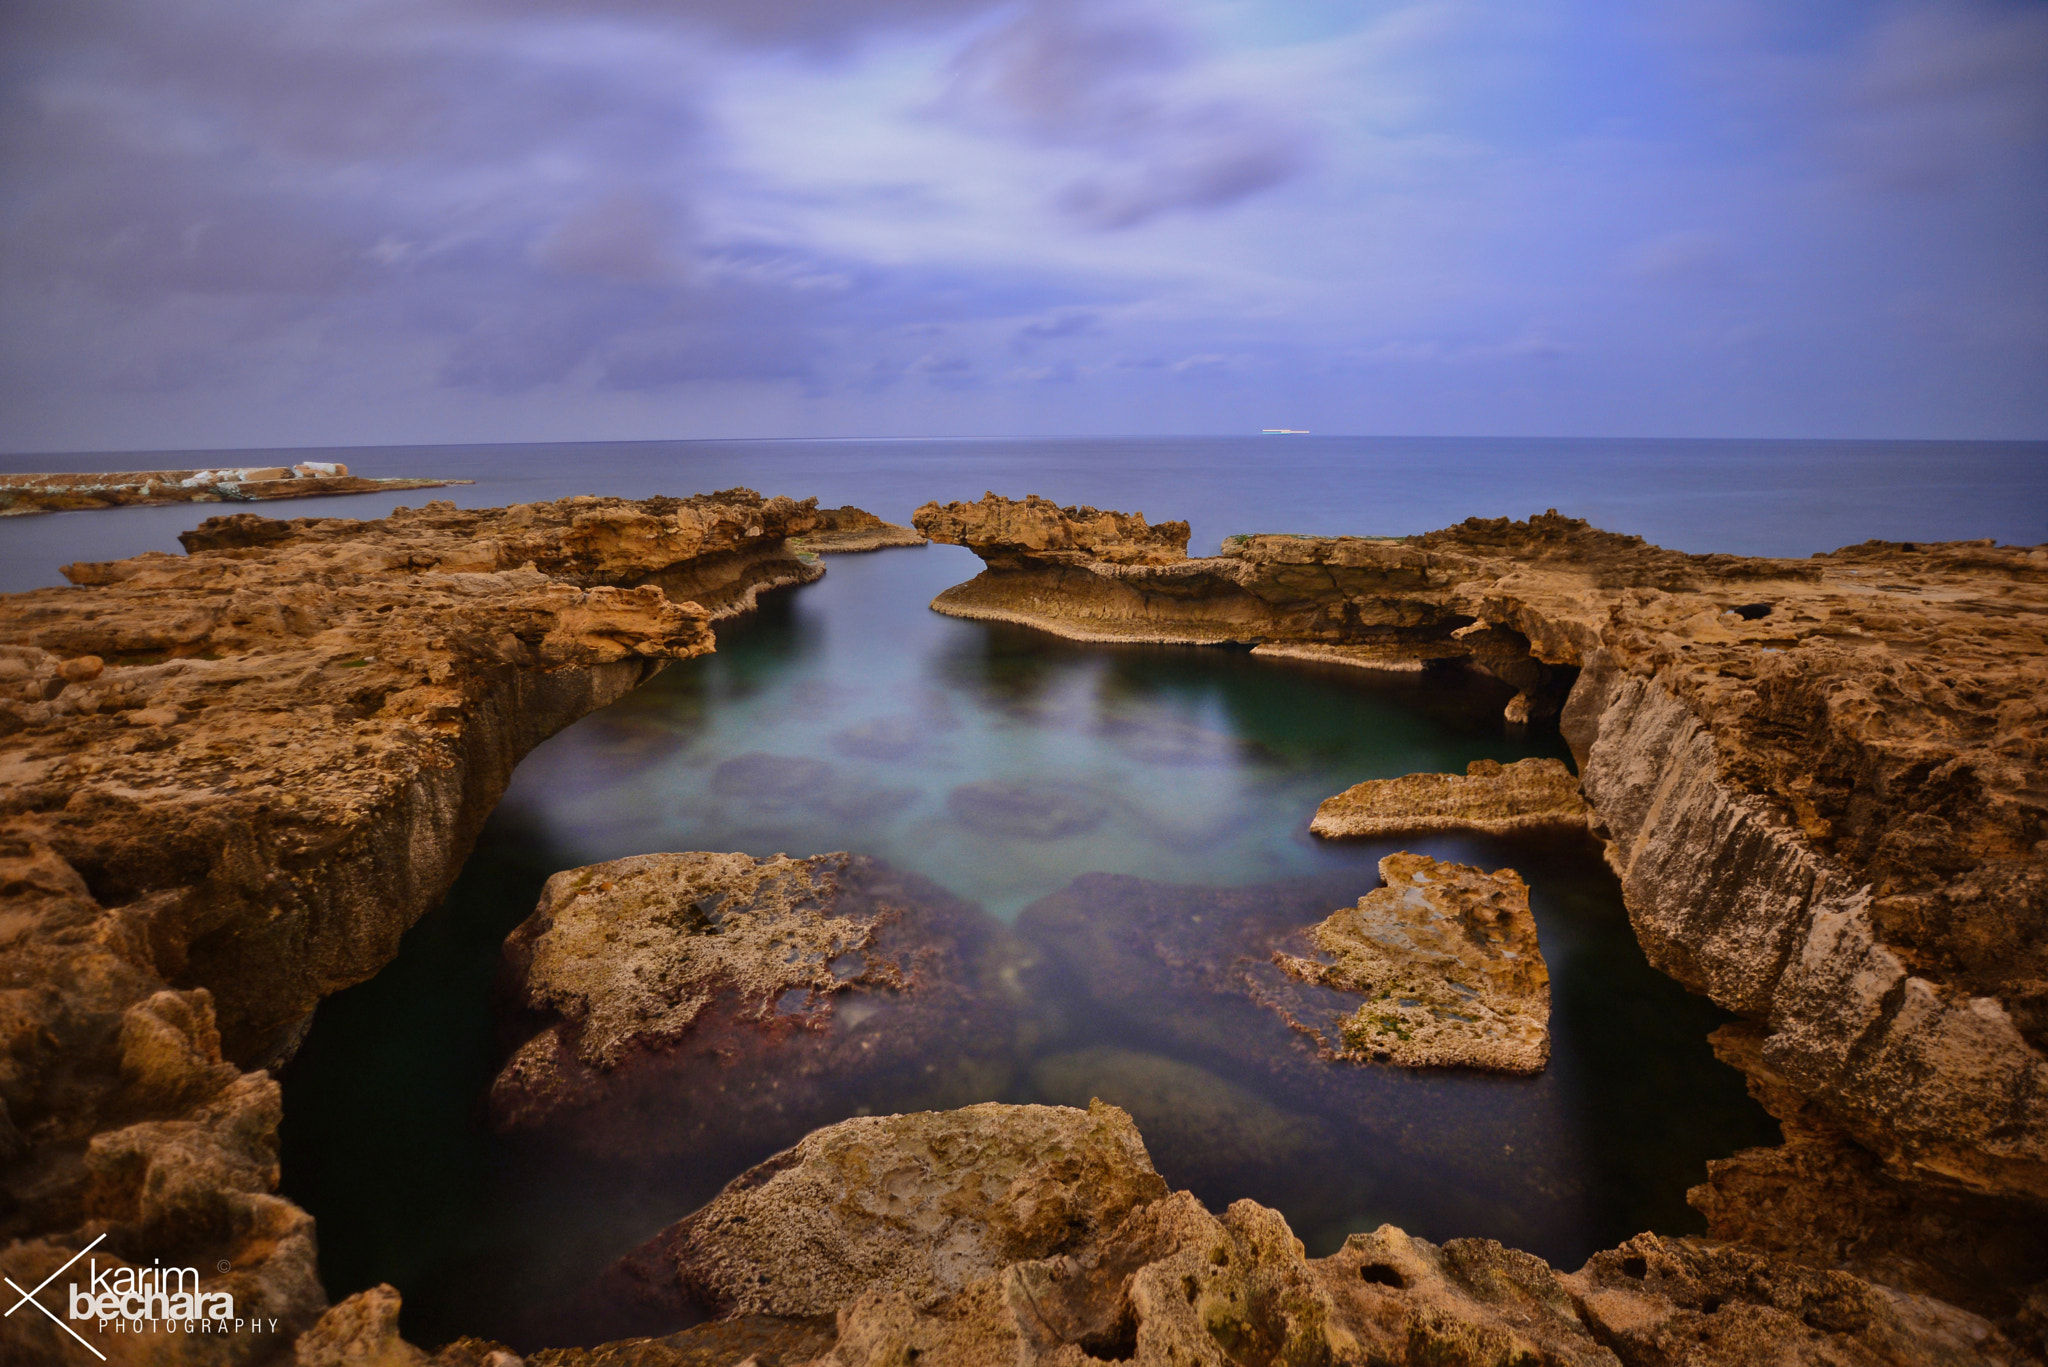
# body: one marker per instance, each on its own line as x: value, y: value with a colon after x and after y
x: 1449, y: 964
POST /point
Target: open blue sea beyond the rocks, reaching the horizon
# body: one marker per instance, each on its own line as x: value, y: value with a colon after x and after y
x: 1742, y: 497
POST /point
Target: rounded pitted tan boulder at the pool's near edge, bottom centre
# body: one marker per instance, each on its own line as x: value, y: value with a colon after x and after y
x: 914, y: 1206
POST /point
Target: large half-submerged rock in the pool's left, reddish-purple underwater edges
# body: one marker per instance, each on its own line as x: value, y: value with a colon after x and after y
x: 703, y: 1001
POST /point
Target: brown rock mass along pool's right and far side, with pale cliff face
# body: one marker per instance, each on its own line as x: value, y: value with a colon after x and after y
x: 1818, y: 782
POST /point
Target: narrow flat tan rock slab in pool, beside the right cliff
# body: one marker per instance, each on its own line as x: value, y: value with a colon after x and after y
x: 1494, y: 798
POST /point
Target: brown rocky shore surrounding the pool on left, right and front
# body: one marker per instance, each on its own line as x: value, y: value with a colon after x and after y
x: 234, y: 780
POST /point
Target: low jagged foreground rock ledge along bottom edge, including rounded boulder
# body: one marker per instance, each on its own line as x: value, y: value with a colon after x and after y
x: 1041, y: 1237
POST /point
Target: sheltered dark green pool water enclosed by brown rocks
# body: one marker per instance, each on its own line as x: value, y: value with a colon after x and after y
x: 843, y: 716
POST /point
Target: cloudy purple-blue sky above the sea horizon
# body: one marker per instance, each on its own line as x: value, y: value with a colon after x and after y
x: 359, y: 222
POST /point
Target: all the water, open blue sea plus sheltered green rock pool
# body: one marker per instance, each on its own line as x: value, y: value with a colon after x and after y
x: 847, y: 716
